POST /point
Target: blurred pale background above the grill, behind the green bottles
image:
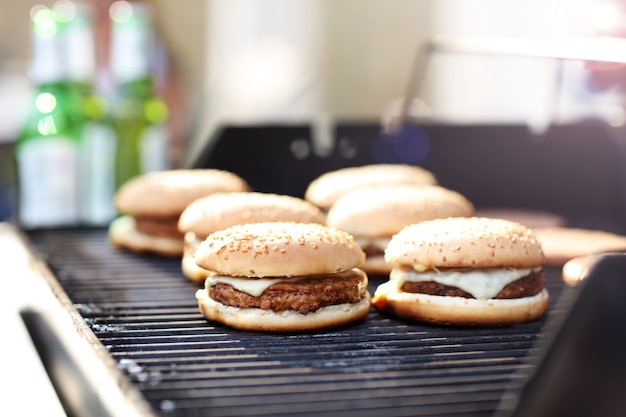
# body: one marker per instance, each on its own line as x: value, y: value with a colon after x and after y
x: 216, y: 63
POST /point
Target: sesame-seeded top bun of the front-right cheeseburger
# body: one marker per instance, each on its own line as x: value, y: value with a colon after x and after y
x: 473, y: 242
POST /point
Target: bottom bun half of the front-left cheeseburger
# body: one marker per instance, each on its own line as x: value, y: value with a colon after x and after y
x: 256, y: 319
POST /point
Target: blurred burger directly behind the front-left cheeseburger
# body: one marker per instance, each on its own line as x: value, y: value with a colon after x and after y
x: 222, y: 210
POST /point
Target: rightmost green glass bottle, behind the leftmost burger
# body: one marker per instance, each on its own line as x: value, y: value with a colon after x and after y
x: 138, y: 113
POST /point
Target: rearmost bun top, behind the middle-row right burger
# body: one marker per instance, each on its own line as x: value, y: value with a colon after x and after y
x: 327, y: 188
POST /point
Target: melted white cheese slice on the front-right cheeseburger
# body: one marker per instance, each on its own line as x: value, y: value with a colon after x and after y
x: 483, y: 284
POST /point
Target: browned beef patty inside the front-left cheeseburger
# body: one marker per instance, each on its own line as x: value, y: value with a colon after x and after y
x: 305, y: 295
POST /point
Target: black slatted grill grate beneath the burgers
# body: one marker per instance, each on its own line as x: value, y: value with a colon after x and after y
x: 144, y: 312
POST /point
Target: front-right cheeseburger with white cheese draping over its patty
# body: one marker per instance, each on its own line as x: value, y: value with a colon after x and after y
x: 464, y: 271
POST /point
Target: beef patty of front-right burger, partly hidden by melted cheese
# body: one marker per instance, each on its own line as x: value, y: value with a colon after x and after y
x: 527, y: 286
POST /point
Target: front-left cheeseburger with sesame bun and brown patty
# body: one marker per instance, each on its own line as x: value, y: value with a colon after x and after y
x: 282, y: 277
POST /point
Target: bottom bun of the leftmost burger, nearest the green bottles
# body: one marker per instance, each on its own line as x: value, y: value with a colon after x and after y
x: 124, y: 234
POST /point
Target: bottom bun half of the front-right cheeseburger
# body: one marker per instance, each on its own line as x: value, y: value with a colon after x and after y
x: 463, y: 311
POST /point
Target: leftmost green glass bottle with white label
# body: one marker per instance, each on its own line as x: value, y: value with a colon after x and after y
x: 46, y: 150
